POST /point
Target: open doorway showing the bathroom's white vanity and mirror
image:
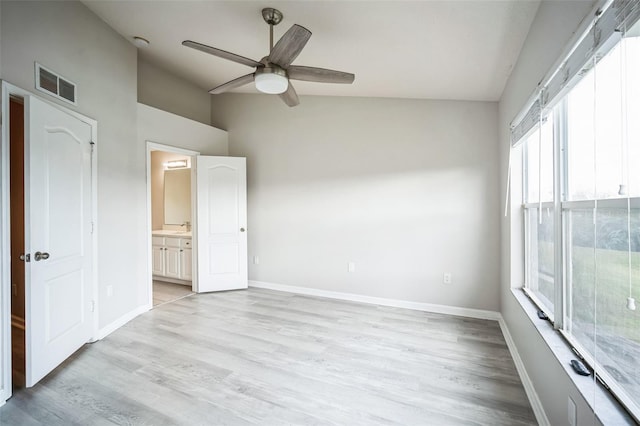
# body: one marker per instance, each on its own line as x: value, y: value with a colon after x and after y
x: 170, y: 193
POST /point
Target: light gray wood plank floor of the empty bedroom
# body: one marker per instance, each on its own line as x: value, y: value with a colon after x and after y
x: 273, y: 358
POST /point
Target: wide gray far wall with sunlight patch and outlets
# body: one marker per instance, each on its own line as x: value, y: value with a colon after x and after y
x: 406, y: 189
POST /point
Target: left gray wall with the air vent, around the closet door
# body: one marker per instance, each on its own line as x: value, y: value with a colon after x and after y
x: 66, y: 37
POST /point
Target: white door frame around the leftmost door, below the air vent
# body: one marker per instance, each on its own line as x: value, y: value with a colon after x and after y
x: 9, y: 90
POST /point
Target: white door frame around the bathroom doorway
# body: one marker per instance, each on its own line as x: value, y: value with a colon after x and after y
x: 155, y: 146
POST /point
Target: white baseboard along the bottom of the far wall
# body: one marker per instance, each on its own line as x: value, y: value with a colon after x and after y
x: 418, y: 306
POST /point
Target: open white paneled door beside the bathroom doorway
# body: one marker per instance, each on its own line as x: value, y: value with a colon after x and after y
x: 221, y: 222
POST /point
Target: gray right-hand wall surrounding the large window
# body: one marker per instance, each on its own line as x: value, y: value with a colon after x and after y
x: 550, y: 33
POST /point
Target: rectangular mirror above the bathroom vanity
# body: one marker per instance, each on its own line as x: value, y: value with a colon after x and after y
x: 177, y: 196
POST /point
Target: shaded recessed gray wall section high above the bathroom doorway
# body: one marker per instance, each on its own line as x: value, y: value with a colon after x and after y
x: 163, y: 90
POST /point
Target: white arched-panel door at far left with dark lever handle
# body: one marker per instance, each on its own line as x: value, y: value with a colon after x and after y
x: 59, y: 316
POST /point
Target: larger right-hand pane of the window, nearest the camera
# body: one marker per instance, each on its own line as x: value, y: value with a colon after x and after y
x: 602, y: 220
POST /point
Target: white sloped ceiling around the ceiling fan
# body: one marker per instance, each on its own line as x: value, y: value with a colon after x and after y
x: 461, y: 50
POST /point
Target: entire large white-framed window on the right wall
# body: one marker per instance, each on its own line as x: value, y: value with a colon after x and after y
x: 581, y: 207
